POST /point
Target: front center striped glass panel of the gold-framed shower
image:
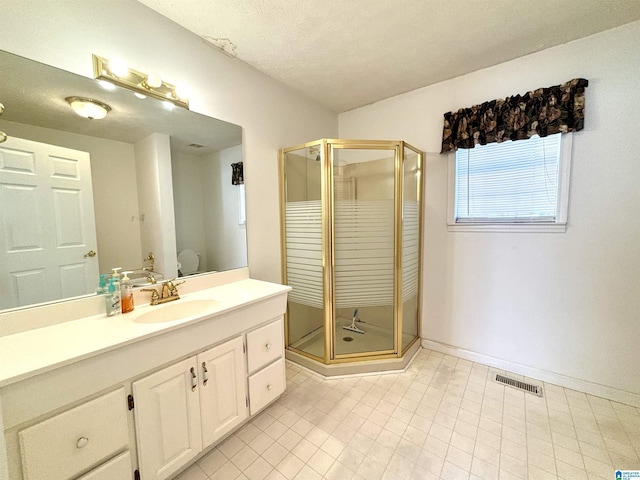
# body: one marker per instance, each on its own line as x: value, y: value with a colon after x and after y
x: 363, y: 250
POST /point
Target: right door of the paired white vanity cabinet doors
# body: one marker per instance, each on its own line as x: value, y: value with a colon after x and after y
x: 224, y: 390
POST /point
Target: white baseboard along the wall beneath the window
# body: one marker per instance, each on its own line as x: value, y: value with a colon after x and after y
x: 621, y: 396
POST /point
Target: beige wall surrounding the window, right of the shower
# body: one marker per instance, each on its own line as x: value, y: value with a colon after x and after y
x: 559, y: 306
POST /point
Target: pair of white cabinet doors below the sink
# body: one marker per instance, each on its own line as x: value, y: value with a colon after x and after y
x: 184, y: 408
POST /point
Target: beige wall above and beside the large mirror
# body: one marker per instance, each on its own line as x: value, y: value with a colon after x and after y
x: 272, y: 115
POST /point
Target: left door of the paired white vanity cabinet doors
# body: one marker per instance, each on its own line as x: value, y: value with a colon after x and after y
x: 167, y: 419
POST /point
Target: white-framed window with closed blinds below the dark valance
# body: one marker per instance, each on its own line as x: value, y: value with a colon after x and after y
x: 511, y: 186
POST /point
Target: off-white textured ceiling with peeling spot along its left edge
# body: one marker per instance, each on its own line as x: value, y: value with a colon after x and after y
x: 349, y: 53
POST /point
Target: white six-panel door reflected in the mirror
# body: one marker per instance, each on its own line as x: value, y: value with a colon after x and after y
x: 48, y: 249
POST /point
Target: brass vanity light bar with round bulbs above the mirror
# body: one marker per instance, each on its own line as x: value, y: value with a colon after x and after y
x: 150, y: 84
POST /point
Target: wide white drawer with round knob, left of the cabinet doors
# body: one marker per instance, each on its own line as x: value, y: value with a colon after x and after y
x: 73, y: 441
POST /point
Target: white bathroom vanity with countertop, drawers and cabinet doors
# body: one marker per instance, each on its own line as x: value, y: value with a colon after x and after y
x: 140, y: 395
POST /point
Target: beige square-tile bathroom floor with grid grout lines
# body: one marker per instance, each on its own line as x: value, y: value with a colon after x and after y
x: 444, y: 418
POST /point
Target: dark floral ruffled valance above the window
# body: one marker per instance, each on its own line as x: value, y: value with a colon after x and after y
x: 545, y: 111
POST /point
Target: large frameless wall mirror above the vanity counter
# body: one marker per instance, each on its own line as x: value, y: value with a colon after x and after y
x: 159, y: 180
